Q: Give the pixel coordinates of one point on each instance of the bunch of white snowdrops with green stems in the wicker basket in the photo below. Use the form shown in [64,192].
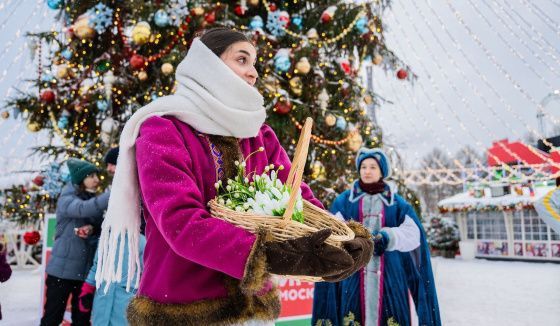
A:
[262,194]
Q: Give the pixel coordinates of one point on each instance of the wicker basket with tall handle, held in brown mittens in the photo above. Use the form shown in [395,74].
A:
[283,227]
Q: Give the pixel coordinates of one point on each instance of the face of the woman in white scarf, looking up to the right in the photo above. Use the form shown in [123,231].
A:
[241,58]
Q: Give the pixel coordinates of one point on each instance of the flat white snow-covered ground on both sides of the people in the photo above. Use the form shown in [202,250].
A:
[475,292]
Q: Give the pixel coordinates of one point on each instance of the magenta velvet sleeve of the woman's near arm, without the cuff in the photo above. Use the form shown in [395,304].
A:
[175,202]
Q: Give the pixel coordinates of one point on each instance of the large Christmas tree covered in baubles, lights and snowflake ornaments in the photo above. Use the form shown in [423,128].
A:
[109,58]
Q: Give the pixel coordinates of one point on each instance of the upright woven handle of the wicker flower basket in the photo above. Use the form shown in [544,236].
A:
[298,165]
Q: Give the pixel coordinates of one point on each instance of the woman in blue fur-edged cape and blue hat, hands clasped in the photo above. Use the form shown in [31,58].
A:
[400,267]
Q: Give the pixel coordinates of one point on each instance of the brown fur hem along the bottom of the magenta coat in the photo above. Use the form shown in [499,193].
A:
[234,309]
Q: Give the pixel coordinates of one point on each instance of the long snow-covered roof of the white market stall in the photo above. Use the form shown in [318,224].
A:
[466,201]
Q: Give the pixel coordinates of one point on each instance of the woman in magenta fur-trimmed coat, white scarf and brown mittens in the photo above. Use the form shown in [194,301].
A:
[200,270]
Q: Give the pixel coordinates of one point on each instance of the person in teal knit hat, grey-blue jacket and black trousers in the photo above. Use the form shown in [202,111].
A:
[79,214]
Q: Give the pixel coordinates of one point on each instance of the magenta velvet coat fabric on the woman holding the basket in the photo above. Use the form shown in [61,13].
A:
[188,251]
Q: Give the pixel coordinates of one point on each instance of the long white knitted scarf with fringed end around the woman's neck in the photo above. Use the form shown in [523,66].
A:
[211,98]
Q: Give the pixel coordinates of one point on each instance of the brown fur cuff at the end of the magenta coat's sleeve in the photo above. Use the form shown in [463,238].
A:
[256,275]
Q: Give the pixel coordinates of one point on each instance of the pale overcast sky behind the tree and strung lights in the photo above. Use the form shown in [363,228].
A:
[483,67]
